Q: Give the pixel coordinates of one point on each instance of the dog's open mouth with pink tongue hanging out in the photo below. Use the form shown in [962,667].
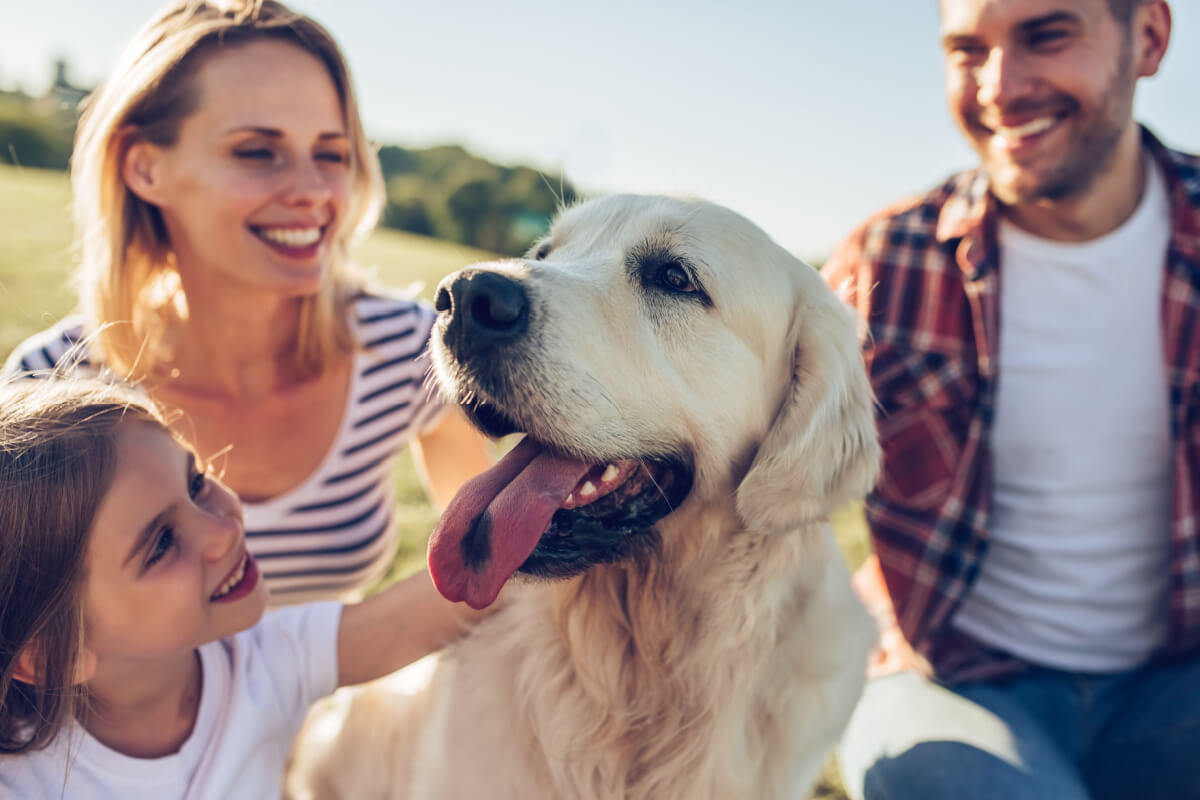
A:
[548,514]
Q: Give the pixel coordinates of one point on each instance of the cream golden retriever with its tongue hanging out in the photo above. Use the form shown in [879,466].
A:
[694,406]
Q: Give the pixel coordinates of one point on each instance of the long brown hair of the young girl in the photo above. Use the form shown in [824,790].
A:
[58,456]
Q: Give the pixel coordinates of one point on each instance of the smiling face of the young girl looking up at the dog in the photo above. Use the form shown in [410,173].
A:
[167,563]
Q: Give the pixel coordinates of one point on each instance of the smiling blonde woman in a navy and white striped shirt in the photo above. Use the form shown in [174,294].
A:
[220,175]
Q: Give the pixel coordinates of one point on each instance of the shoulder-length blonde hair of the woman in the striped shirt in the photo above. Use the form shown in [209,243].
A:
[127,272]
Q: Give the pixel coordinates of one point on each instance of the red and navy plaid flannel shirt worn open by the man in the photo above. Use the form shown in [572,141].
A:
[925,276]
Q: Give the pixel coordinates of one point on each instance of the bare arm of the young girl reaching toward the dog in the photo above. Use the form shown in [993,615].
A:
[398,627]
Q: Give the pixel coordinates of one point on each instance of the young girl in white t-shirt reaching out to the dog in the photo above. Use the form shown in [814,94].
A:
[136,657]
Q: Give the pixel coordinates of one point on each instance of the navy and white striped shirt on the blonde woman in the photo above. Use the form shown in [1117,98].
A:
[332,536]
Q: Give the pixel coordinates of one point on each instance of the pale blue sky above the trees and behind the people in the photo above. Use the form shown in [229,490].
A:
[805,116]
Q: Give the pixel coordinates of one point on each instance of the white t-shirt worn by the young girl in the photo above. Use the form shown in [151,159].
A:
[257,688]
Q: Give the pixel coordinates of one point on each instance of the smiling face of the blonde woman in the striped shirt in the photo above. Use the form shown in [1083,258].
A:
[254,190]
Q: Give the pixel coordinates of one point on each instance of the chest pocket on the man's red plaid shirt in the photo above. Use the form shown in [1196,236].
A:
[926,401]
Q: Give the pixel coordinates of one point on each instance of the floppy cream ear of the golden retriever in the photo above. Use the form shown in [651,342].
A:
[821,450]
